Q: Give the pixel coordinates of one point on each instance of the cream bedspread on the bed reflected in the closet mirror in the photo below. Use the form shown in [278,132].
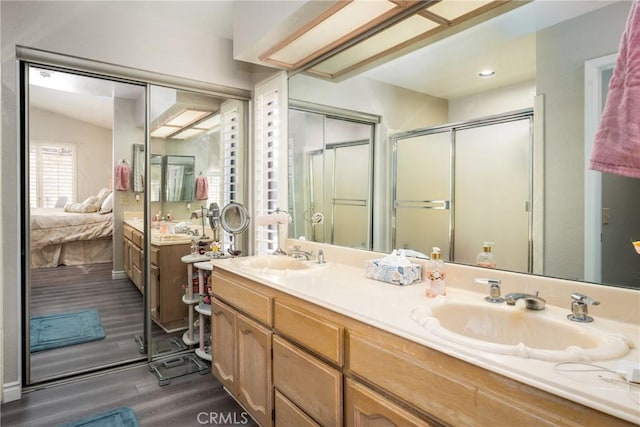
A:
[55,226]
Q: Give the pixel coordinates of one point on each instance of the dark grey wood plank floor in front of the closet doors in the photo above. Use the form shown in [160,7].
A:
[193,400]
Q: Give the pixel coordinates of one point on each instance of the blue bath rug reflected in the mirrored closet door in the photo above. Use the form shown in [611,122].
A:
[64,329]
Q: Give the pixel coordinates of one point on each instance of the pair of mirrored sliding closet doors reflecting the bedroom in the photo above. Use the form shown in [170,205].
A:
[120,178]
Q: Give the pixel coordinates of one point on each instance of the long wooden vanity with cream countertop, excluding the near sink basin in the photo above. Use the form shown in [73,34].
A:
[325,346]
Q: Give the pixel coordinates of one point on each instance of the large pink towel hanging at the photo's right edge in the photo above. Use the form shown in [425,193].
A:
[617,143]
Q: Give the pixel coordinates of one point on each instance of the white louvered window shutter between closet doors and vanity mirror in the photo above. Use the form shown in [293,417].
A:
[270,167]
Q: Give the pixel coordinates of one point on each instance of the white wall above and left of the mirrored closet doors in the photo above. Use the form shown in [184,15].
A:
[171,38]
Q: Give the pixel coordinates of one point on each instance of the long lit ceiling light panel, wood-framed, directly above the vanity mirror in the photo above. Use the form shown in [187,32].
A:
[338,26]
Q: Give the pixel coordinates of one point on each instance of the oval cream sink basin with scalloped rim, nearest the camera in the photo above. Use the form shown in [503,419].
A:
[519,332]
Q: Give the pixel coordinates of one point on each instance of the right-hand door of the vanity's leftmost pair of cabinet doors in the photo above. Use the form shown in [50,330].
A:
[254,369]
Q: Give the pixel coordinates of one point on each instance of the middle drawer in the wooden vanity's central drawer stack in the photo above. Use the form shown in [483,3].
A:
[312,385]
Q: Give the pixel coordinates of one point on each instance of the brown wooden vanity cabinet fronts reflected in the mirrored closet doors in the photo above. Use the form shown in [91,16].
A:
[166,277]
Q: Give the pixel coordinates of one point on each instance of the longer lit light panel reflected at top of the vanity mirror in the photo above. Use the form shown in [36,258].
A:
[405,30]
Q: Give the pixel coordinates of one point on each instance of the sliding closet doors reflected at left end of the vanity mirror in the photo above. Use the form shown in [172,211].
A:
[330,181]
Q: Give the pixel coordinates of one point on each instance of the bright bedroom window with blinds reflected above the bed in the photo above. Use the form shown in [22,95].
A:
[52,173]
